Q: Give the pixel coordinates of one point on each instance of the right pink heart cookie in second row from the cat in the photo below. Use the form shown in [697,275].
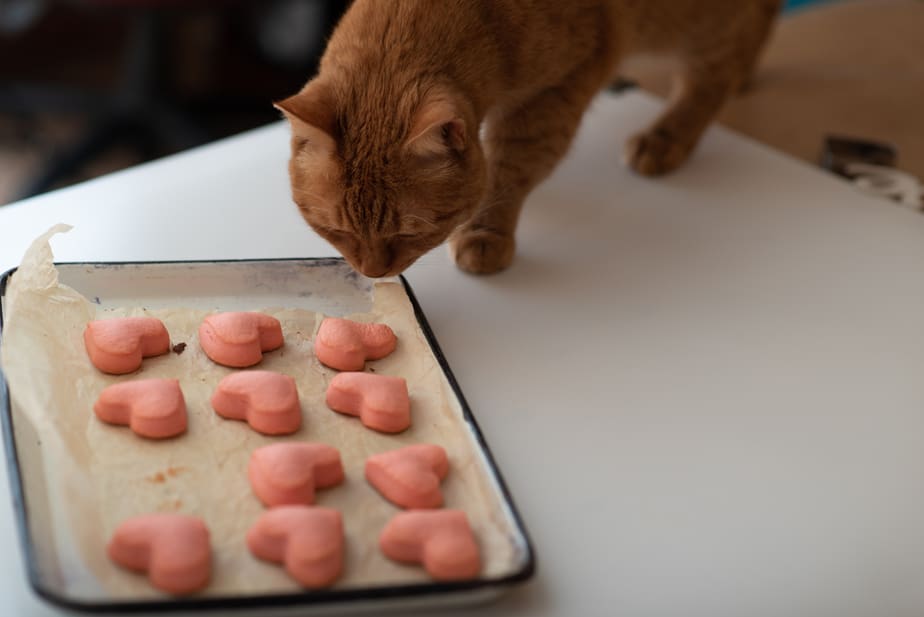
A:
[381,402]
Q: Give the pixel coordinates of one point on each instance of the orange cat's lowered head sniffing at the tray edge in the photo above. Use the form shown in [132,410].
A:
[383,183]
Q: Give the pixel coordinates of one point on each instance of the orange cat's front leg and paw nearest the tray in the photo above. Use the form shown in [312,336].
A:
[523,144]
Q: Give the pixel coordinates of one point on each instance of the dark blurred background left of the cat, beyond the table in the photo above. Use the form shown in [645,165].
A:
[92,86]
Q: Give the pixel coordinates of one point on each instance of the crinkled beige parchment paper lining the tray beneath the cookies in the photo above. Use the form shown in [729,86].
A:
[96,475]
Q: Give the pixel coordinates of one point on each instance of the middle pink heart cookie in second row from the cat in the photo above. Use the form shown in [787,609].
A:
[267,401]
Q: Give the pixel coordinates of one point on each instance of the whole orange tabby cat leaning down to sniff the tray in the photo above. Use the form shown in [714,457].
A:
[431,119]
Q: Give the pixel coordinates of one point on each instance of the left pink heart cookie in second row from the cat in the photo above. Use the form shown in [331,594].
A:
[152,408]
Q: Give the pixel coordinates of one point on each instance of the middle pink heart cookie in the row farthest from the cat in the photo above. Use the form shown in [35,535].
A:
[307,540]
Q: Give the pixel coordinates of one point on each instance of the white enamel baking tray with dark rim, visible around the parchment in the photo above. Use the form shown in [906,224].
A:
[241,285]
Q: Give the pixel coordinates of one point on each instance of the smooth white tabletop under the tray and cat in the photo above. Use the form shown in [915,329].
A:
[717,374]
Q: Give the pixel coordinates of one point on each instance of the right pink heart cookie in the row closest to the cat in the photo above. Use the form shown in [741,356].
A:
[346,345]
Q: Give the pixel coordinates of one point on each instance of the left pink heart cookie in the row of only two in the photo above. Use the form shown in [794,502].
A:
[289,472]
